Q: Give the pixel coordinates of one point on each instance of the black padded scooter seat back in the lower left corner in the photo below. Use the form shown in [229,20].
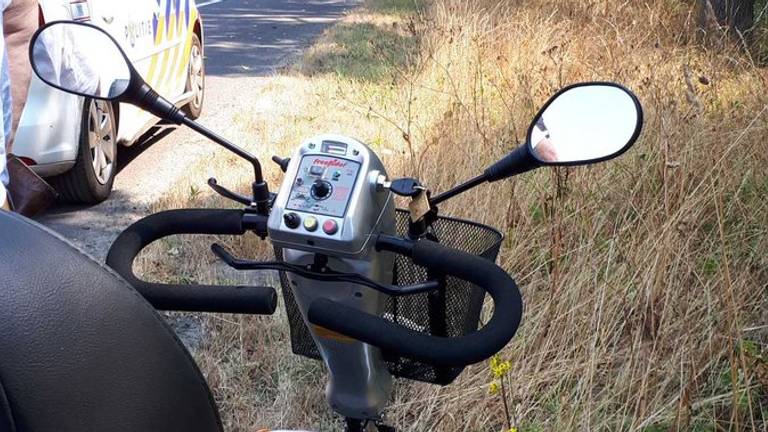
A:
[81,351]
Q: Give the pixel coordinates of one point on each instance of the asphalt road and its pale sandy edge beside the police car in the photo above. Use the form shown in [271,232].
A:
[246,41]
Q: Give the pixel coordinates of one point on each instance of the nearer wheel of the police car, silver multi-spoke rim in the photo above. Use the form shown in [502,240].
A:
[90,180]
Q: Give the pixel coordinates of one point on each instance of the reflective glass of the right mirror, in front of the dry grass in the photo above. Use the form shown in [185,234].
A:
[585,123]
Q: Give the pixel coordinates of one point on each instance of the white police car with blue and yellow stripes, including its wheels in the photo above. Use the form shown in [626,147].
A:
[72,141]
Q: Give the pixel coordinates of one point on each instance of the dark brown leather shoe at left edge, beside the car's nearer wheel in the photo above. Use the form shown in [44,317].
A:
[29,193]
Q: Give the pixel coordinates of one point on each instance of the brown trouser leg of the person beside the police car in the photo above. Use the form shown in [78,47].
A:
[20,20]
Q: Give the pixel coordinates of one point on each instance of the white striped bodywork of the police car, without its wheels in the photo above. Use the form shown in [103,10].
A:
[155,34]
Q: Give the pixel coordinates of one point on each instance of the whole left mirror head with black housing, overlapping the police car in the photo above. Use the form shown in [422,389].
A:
[82,59]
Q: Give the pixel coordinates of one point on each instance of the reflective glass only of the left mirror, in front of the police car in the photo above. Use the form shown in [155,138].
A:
[81,59]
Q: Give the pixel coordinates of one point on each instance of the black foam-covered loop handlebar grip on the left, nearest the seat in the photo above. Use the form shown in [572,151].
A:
[198,298]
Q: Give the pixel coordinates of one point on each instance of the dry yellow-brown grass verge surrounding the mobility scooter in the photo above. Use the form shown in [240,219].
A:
[644,278]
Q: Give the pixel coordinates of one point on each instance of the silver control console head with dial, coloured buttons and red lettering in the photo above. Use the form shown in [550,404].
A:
[329,202]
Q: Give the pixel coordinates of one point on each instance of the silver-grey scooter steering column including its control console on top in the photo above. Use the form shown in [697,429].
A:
[330,204]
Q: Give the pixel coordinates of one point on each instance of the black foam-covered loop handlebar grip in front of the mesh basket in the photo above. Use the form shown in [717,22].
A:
[439,351]
